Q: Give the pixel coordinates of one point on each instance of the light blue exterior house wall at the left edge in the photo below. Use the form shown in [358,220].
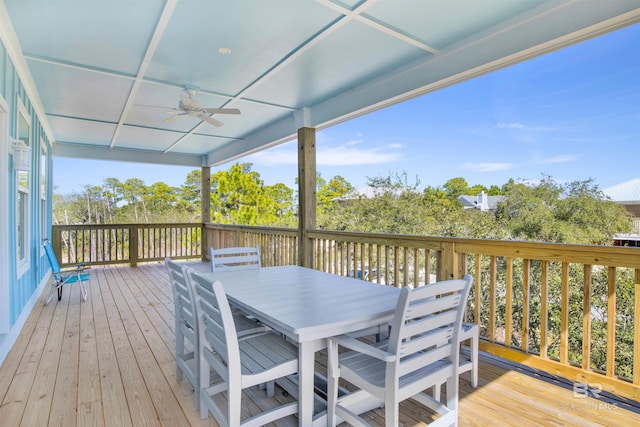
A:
[21,282]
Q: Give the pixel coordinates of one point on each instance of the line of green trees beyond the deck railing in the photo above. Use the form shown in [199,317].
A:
[546,211]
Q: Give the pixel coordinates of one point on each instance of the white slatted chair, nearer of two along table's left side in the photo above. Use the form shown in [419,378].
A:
[239,364]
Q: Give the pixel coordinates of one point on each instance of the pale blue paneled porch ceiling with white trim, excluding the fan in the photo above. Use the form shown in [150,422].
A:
[293,63]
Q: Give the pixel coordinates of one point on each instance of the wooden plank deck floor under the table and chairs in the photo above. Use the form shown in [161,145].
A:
[108,361]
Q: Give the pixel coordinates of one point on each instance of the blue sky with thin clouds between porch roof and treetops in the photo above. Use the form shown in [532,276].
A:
[573,114]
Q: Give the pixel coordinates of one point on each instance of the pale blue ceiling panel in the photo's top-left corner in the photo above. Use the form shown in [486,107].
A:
[111,35]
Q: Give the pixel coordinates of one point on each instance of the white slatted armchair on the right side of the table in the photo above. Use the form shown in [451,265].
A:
[422,351]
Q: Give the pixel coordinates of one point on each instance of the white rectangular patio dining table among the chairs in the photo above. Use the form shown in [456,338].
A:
[308,306]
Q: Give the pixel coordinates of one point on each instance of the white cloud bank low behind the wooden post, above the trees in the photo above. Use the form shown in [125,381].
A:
[348,154]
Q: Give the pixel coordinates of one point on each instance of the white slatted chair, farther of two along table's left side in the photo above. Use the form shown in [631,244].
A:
[186,326]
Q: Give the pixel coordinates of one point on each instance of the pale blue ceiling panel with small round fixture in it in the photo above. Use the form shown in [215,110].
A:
[188,52]
